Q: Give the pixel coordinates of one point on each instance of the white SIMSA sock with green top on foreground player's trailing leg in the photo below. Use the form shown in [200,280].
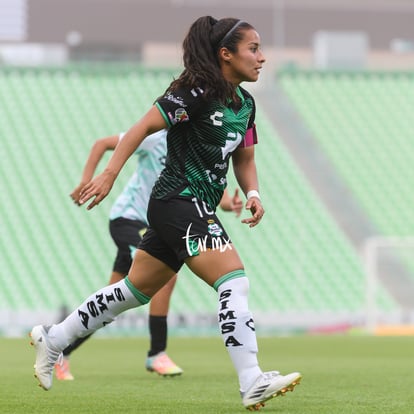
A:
[98,310]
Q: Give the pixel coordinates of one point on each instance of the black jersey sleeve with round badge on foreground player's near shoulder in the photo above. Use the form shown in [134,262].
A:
[180,105]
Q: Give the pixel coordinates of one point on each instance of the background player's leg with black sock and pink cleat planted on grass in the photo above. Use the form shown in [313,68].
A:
[158,361]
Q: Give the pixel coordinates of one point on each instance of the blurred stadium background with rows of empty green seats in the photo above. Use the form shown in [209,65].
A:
[336,161]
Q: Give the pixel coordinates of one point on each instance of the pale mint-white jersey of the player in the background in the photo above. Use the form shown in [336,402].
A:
[132,203]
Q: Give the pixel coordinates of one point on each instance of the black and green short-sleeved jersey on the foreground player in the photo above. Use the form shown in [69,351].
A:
[201,138]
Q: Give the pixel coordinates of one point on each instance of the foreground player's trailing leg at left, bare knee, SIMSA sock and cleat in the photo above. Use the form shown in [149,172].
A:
[97,311]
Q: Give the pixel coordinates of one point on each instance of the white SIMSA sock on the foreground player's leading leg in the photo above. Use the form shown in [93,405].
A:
[237,329]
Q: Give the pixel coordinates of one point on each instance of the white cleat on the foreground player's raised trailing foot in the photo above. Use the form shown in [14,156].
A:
[46,357]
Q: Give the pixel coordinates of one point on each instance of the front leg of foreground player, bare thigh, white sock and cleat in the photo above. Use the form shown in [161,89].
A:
[237,327]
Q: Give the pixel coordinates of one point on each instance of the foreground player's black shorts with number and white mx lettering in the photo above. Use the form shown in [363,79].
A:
[182,227]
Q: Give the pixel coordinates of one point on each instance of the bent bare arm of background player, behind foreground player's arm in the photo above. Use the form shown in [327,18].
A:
[95,155]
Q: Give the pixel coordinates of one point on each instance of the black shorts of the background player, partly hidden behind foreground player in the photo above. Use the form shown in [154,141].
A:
[126,234]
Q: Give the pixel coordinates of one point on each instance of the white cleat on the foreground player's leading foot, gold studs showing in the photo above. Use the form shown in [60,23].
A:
[267,386]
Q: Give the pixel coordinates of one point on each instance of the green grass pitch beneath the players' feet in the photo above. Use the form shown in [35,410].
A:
[341,374]
